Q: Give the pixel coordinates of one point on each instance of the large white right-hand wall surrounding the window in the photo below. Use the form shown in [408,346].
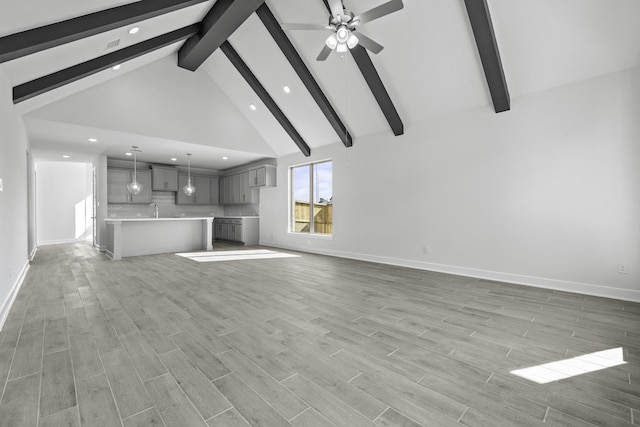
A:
[547,194]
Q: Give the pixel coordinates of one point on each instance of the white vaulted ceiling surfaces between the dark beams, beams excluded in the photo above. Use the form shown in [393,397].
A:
[430,67]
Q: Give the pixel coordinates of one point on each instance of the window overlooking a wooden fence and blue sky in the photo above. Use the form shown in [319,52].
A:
[312,198]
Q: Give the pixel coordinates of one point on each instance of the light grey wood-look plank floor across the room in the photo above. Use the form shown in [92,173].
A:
[309,341]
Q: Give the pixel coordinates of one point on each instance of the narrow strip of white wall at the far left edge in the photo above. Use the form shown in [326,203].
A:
[14,145]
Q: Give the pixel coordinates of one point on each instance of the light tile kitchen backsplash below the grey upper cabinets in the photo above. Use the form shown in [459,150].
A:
[167,207]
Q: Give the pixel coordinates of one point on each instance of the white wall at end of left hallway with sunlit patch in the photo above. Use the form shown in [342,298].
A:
[64,198]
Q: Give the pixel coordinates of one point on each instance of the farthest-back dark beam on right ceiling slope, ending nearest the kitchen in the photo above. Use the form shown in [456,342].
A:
[264,96]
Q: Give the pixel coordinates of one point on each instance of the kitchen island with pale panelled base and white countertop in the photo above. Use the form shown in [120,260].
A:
[146,236]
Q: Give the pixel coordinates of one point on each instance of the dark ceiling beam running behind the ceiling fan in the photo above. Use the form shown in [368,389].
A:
[371,76]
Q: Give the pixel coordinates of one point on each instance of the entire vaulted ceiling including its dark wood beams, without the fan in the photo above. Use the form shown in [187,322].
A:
[436,61]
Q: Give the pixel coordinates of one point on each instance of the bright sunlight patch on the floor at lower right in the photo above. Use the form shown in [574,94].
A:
[567,368]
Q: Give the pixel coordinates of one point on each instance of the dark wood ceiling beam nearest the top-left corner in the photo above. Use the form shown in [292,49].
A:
[37,39]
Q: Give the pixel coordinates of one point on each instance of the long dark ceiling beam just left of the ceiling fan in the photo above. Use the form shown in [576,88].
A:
[285,45]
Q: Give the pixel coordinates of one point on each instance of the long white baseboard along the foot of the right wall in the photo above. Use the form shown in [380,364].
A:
[517,279]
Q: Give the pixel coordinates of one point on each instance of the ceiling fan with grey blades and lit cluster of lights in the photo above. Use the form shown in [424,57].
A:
[344,24]
